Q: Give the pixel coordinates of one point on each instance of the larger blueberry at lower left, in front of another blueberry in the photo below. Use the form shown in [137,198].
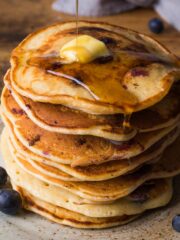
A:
[10,201]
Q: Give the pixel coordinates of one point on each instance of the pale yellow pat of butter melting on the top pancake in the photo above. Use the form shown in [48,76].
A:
[83,49]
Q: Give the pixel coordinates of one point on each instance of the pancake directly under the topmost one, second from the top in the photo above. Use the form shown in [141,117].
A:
[58,118]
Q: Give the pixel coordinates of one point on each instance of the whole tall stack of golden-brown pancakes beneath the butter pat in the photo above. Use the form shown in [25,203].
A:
[70,146]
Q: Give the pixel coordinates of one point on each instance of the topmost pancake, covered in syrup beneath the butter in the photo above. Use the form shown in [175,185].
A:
[138,75]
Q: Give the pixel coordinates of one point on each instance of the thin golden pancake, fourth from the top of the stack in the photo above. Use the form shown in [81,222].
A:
[93,172]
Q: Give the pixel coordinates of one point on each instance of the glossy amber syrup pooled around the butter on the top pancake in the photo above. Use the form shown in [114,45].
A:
[104,77]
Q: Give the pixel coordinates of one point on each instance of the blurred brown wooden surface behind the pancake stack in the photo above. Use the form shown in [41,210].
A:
[18,18]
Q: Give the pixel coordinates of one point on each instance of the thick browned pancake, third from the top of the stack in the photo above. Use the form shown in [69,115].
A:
[76,150]
